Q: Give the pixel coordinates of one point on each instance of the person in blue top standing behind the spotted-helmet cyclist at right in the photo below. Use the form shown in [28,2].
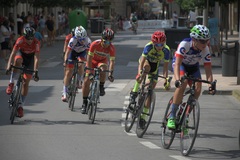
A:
[213,25]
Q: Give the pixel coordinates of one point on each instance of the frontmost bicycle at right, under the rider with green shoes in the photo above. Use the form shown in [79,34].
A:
[187,119]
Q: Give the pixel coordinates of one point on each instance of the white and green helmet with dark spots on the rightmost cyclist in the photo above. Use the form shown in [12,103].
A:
[200,32]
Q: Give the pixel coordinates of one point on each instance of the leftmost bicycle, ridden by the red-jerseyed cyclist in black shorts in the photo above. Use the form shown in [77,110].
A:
[15,97]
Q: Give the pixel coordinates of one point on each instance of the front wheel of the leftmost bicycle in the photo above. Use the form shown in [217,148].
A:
[16,98]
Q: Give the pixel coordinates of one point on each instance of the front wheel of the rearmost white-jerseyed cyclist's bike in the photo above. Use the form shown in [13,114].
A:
[72,90]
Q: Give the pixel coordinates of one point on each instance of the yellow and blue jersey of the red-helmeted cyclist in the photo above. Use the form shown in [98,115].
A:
[154,56]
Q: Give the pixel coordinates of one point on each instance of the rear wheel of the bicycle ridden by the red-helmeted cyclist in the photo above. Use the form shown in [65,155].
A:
[130,116]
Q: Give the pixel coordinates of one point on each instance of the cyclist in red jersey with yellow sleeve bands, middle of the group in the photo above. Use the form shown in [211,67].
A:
[100,52]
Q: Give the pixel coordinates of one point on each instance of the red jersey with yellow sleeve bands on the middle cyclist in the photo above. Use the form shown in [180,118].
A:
[100,53]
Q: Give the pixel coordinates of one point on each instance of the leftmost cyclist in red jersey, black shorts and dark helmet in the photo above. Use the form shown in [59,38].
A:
[25,52]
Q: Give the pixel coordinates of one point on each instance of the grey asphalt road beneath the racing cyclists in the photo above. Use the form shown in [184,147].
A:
[49,131]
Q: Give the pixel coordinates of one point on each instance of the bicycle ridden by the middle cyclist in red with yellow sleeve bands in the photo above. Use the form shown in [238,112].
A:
[94,94]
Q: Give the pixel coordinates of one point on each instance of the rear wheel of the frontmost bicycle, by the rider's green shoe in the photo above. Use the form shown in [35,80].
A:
[167,135]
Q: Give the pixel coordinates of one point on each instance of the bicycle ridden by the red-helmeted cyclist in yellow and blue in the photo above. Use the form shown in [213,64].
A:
[135,108]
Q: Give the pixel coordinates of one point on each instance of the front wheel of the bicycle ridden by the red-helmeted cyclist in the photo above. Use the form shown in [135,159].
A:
[145,117]
